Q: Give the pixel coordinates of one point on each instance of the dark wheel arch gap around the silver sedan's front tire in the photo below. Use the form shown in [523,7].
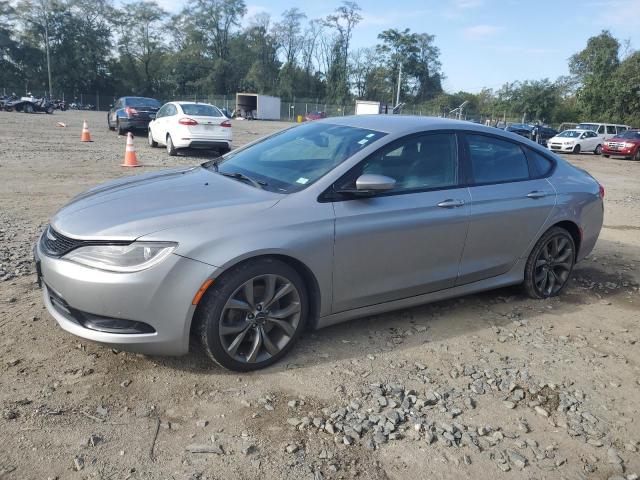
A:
[309,279]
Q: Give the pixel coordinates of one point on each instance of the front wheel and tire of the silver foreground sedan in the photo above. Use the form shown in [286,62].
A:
[253,315]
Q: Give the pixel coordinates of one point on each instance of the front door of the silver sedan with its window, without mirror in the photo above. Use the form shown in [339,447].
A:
[408,241]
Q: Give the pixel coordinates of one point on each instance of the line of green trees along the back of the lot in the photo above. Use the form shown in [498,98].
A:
[211,47]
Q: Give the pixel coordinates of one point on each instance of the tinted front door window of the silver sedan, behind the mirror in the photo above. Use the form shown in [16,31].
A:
[415,163]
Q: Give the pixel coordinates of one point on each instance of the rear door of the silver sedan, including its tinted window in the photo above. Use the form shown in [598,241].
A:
[510,202]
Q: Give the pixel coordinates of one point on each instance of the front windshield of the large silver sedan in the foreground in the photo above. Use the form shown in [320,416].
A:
[295,158]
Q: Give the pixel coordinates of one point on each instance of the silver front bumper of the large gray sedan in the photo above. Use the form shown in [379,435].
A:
[81,298]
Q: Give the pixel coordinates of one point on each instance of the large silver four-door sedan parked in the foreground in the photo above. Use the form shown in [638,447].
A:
[314,225]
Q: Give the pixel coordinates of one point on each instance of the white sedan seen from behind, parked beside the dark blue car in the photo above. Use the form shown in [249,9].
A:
[190,125]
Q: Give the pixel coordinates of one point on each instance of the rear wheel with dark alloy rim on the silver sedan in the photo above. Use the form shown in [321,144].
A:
[550,264]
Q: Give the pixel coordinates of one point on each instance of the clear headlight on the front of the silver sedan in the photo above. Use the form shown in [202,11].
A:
[122,258]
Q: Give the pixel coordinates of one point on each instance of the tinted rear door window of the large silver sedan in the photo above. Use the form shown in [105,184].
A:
[494,160]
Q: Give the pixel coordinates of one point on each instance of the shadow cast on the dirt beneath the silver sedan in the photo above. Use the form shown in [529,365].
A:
[435,323]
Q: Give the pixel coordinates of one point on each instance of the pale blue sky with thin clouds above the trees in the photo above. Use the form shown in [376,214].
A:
[484,43]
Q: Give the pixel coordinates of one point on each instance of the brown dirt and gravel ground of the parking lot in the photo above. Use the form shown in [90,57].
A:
[488,386]
